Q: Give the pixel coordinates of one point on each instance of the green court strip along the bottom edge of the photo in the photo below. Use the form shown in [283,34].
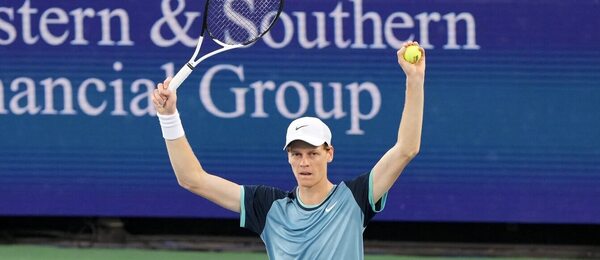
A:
[25,252]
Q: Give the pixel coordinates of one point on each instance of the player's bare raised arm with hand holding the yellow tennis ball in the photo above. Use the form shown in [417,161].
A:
[393,162]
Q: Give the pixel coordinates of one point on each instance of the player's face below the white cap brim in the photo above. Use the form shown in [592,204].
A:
[309,163]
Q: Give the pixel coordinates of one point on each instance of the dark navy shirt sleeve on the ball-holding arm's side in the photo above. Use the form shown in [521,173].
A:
[362,190]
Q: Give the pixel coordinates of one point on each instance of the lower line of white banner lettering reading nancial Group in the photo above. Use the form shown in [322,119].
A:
[291,99]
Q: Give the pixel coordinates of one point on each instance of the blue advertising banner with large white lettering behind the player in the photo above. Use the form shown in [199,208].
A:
[511,125]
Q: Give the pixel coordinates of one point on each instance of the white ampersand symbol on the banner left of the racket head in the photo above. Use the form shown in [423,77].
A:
[169,18]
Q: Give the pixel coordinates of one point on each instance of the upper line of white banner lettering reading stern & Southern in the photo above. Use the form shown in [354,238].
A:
[56,25]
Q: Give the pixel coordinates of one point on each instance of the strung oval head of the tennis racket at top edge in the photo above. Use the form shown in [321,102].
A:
[240,22]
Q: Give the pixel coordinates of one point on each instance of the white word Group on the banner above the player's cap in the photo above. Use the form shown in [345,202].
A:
[299,96]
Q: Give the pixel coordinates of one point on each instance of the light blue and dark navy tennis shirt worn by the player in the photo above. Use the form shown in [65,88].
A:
[292,230]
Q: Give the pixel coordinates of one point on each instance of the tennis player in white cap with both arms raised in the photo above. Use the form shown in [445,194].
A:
[316,220]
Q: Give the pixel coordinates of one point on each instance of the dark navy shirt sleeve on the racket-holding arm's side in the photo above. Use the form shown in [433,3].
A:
[255,202]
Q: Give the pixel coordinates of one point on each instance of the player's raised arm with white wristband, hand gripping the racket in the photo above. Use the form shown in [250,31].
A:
[190,174]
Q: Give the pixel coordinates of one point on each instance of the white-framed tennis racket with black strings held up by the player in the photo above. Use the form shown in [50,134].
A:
[231,24]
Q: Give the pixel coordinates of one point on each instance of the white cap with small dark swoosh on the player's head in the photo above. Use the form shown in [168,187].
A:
[308,129]
